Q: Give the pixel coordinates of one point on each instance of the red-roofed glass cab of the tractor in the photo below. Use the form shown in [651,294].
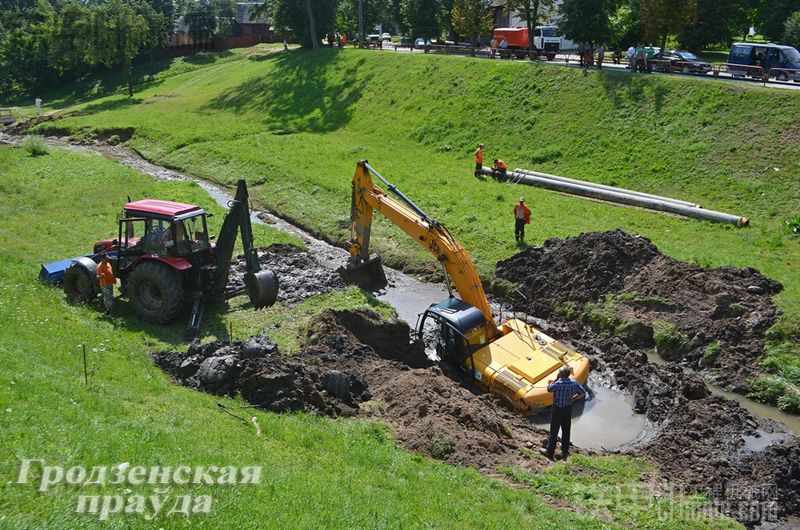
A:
[163,228]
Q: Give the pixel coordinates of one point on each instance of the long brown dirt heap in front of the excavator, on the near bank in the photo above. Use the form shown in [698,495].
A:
[356,362]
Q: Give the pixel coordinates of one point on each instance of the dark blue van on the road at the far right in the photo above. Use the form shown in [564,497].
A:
[768,57]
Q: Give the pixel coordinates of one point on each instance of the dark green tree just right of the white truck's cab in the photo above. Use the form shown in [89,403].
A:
[587,20]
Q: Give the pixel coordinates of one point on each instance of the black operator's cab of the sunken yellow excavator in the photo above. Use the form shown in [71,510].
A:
[462,329]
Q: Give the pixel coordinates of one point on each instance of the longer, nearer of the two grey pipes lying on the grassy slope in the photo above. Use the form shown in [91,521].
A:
[624,198]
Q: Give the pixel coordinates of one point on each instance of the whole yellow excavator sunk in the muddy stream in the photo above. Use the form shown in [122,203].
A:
[513,360]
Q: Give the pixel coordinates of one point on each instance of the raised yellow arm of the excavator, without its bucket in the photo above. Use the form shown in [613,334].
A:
[427,232]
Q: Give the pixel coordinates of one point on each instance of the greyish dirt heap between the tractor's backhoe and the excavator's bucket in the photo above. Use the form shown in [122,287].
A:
[300,275]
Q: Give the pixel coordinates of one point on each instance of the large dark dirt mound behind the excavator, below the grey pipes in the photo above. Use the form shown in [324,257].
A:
[721,314]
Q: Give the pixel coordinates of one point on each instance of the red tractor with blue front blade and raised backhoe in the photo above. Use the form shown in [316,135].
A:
[166,261]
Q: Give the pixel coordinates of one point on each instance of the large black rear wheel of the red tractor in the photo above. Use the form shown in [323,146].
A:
[157,292]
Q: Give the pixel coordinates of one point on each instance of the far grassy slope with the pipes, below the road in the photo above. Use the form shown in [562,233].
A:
[294,124]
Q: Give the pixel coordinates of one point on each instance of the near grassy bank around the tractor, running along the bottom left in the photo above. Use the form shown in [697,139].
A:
[317,472]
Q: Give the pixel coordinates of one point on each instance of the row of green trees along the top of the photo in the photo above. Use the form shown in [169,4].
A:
[46,42]
